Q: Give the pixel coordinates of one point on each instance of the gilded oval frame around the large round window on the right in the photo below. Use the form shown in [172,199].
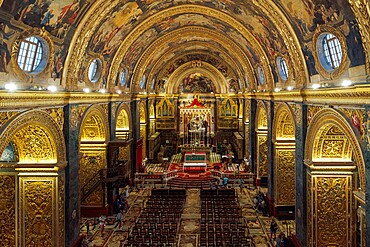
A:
[317,49]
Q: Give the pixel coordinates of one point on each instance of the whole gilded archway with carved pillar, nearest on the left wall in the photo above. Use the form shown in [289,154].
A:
[32,182]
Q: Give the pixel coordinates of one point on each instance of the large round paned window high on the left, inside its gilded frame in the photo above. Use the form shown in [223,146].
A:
[32,54]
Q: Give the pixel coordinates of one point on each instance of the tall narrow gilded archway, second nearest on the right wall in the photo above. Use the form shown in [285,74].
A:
[284,149]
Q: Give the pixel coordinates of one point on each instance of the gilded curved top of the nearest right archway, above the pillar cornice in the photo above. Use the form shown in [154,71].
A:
[349,143]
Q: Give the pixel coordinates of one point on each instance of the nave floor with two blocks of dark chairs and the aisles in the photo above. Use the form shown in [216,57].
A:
[194,226]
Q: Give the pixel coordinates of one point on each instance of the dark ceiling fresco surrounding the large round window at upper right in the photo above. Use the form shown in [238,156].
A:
[307,15]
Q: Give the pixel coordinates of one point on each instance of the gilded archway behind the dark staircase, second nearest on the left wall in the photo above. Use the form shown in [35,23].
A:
[92,156]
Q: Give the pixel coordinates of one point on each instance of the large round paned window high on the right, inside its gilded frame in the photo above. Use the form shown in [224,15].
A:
[329,51]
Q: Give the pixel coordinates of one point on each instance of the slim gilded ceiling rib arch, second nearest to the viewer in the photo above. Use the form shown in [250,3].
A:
[188,8]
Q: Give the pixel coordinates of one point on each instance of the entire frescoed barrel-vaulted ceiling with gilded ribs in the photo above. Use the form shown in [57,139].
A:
[149,41]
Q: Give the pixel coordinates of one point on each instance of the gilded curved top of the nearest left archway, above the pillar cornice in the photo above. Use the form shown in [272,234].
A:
[42,125]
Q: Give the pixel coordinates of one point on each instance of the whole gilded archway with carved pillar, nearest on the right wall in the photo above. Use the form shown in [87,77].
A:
[335,178]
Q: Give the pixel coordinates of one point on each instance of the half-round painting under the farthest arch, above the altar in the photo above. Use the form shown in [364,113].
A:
[196,83]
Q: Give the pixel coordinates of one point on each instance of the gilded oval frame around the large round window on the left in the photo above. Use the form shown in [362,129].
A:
[46,37]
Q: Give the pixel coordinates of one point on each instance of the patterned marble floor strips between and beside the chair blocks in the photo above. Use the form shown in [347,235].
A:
[188,234]
